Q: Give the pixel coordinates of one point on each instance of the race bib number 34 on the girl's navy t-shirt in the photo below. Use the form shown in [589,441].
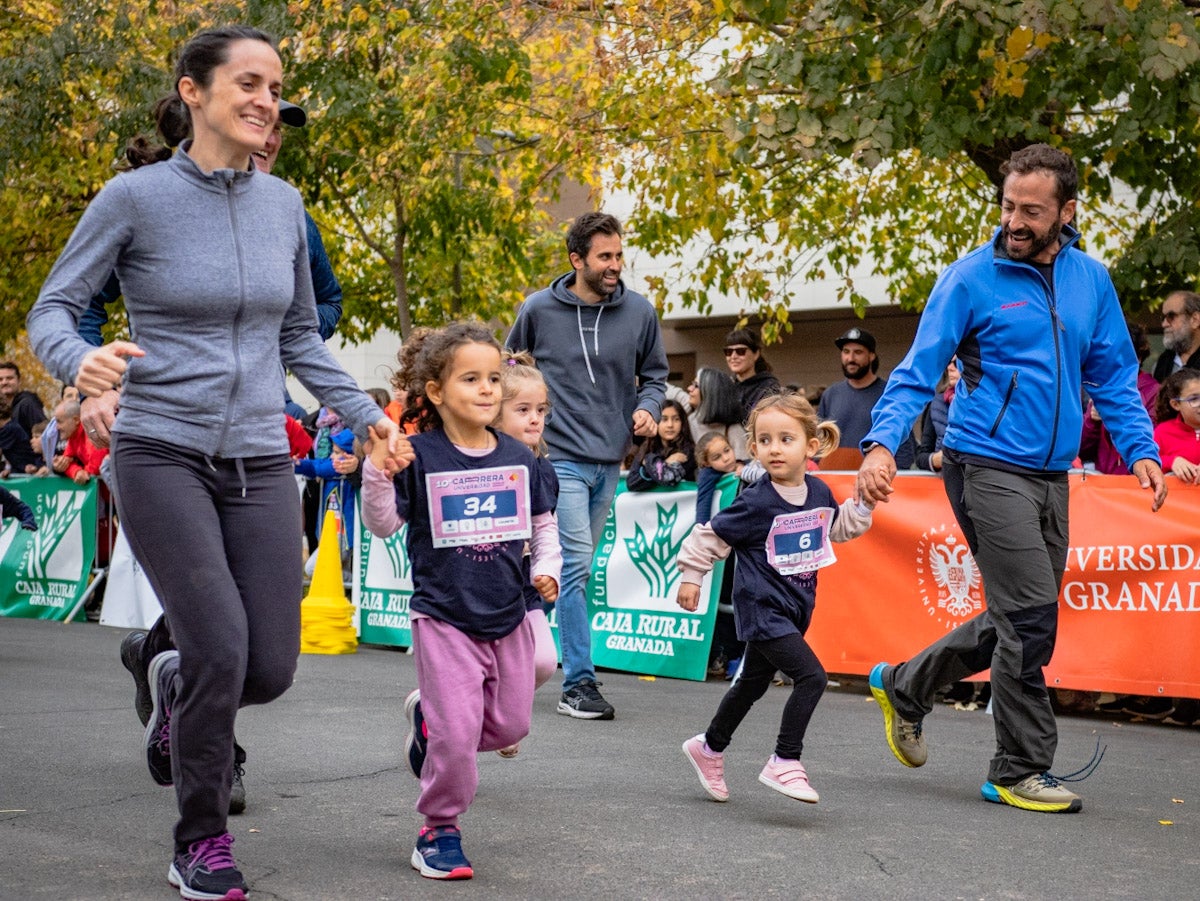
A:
[479,507]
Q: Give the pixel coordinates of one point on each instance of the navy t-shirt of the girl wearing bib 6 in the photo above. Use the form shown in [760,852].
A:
[766,603]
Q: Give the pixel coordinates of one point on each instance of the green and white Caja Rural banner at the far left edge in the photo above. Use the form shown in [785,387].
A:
[45,573]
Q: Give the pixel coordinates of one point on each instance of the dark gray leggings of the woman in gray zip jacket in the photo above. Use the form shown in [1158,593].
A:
[219,540]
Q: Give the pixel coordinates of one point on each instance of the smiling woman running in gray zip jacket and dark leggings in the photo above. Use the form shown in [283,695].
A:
[213,259]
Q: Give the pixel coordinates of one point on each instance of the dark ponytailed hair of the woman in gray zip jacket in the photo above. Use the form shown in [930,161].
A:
[200,58]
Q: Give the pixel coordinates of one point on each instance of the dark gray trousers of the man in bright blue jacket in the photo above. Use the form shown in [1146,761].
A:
[1019,526]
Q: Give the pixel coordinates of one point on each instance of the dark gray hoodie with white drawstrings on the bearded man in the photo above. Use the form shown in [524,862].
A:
[602,362]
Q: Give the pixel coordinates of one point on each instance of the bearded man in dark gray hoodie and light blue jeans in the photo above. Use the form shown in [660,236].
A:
[601,350]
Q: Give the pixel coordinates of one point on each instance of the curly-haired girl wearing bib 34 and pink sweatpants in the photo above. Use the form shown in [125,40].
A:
[472,503]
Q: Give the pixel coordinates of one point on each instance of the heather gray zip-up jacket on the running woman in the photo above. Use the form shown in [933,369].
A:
[217,283]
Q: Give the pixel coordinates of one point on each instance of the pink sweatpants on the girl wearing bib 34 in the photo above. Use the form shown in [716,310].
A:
[476,696]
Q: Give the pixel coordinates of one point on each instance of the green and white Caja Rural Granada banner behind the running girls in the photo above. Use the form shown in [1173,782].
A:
[637,626]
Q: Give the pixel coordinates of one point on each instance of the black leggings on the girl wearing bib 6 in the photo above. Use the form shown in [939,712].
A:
[790,656]
